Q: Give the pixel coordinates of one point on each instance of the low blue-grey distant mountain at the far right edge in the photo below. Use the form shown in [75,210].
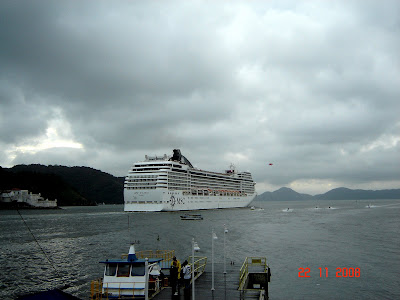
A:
[348,194]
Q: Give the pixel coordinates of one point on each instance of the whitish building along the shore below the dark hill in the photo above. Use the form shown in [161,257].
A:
[23,196]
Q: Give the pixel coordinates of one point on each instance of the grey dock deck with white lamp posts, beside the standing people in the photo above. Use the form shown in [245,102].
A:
[226,285]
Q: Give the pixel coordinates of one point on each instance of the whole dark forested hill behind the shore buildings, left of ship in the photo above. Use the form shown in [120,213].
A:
[91,185]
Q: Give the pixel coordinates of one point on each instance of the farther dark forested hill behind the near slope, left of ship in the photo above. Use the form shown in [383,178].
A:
[94,185]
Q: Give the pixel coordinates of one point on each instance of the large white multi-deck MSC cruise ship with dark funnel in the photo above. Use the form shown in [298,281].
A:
[171,183]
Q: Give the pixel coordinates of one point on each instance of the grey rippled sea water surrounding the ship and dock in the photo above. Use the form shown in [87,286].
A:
[292,235]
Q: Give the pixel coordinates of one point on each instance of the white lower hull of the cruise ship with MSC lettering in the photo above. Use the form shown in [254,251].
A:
[159,200]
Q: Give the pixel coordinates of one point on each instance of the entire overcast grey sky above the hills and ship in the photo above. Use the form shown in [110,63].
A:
[312,87]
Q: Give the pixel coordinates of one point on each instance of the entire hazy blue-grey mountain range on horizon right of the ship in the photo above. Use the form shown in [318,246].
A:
[286,194]
